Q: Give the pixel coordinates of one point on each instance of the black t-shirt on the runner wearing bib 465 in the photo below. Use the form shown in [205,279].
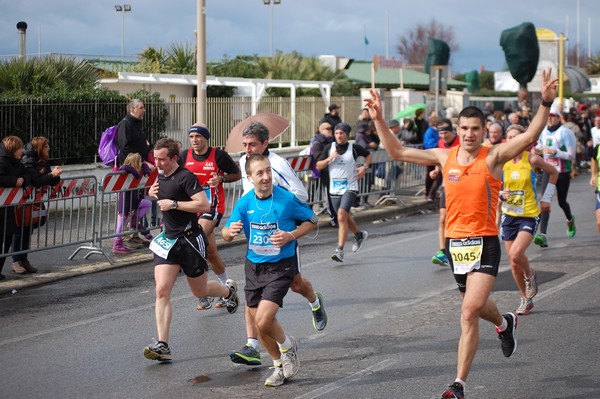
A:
[182,185]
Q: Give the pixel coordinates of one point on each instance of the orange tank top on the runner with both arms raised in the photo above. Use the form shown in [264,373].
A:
[471,197]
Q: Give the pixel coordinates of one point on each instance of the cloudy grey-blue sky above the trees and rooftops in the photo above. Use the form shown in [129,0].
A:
[310,27]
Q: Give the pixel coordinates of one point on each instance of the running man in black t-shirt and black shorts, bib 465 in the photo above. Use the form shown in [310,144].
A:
[181,245]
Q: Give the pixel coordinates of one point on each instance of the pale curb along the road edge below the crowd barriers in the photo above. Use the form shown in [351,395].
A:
[406,205]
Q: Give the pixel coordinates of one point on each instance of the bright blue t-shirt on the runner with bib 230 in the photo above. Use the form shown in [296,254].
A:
[263,217]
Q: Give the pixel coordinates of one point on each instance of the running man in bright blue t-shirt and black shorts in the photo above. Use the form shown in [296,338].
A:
[272,219]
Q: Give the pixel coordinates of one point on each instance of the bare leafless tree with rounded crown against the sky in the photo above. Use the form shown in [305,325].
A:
[414,44]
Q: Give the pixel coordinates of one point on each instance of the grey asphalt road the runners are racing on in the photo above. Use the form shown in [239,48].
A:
[393,328]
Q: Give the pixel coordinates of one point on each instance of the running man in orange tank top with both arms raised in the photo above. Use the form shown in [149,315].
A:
[474,172]
